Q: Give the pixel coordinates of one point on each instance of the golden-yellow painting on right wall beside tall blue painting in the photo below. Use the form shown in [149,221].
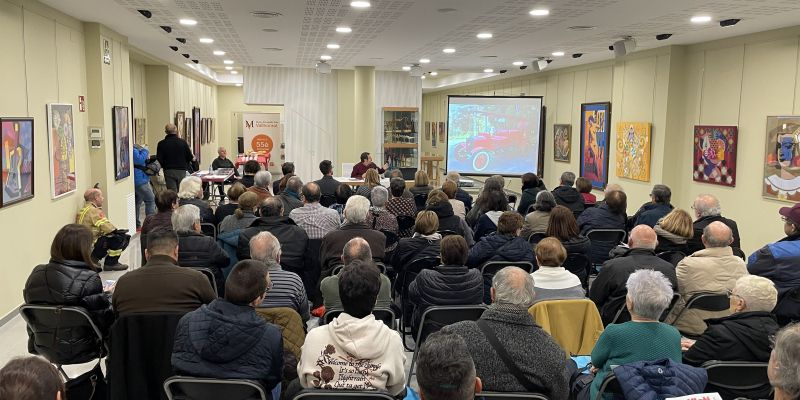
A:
[633,150]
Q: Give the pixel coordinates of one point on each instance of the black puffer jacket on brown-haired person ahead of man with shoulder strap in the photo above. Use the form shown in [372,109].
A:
[444,285]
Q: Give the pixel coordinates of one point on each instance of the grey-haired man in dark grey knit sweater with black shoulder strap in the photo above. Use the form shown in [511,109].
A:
[532,350]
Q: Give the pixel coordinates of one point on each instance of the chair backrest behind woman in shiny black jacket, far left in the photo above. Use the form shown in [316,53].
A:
[63,334]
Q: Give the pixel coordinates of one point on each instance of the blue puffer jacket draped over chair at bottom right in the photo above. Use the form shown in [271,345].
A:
[652,380]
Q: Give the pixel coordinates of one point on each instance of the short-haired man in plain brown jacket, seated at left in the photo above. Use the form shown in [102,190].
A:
[160,285]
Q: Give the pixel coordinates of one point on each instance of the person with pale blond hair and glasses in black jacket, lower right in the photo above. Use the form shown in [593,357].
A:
[745,334]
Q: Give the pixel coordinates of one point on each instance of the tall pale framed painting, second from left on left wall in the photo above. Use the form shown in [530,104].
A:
[61,141]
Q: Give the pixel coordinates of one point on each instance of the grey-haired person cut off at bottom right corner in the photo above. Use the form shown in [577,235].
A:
[784,364]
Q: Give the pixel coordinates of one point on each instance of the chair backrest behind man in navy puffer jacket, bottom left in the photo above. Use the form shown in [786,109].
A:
[191,388]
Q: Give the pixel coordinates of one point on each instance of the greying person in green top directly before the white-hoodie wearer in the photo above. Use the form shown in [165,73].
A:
[355,251]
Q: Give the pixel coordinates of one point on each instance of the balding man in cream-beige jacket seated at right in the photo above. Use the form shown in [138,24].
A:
[714,269]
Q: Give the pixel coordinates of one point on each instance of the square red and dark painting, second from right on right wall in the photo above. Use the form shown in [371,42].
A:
[715,154]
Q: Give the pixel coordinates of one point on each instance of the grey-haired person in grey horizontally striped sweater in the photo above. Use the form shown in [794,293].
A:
[287,288]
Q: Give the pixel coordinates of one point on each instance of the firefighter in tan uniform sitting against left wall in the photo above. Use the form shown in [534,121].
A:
[109,242]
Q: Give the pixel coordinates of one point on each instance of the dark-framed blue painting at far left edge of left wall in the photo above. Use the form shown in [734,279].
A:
[16,160]
